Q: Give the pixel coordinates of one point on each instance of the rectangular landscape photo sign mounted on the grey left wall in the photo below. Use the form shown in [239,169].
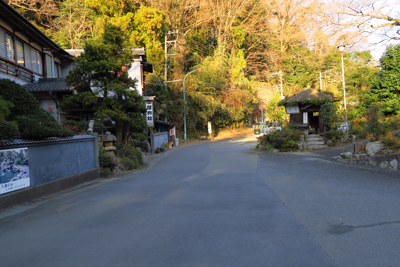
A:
[14,170]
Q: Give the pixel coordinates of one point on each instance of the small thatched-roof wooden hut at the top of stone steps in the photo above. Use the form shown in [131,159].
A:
[304,109]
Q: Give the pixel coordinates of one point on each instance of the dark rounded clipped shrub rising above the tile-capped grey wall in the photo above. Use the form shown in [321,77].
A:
[32,121]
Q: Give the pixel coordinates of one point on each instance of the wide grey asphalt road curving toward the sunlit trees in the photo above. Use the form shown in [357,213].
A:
[217,204]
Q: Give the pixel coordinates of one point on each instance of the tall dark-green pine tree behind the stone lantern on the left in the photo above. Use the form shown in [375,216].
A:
[102,64]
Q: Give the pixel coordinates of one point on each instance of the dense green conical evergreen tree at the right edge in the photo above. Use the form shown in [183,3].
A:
[386,88]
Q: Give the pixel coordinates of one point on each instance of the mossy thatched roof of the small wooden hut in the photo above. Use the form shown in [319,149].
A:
[309,96]
